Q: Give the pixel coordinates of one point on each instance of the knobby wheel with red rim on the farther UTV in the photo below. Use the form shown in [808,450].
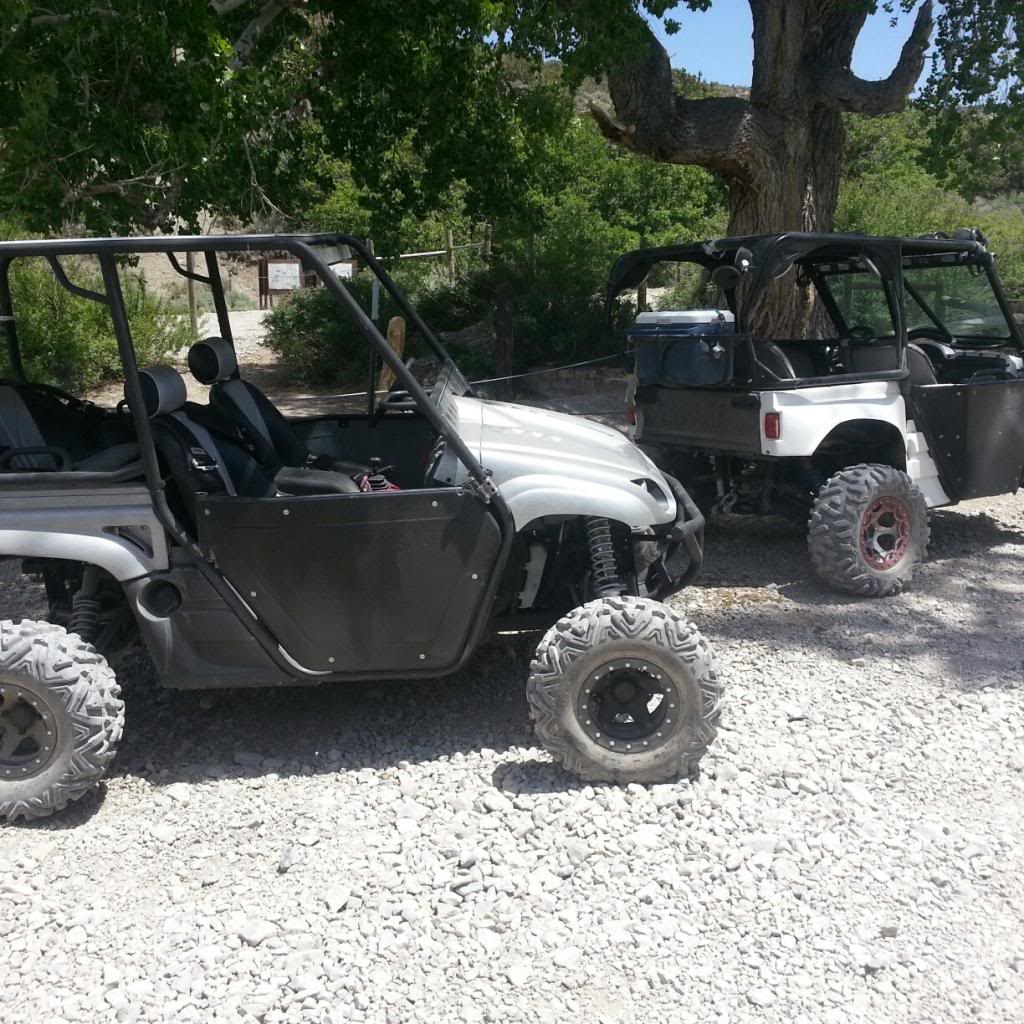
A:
[869,531]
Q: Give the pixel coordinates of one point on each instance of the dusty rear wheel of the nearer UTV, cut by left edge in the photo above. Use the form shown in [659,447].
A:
[61,719]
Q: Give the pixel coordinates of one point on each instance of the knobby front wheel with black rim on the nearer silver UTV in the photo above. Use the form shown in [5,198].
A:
[625,691]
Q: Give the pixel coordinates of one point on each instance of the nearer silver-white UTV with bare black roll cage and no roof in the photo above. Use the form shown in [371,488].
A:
[245,549]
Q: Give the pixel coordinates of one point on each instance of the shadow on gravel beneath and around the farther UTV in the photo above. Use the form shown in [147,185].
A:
[964,611]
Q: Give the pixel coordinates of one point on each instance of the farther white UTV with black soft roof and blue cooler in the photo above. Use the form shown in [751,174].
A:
[906,395]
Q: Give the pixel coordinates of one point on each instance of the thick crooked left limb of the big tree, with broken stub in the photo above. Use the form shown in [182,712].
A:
[652,120]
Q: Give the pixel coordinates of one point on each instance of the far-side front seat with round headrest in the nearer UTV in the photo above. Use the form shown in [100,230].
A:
[276,444]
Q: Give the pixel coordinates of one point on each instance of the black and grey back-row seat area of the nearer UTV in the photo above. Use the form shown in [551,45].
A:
[55,437]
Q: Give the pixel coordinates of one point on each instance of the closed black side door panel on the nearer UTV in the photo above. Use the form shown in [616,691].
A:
[392,582]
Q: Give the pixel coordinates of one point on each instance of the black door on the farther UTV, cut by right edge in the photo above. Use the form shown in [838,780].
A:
[975,435]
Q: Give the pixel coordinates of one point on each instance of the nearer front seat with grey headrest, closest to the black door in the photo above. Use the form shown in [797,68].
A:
[204,454]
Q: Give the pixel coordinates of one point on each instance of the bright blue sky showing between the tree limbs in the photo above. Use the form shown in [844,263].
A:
[717,44]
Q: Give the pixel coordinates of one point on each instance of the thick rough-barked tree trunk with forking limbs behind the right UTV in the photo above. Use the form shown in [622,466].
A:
[782,150]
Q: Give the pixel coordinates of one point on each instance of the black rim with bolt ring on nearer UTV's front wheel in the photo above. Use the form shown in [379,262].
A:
[629,706]
